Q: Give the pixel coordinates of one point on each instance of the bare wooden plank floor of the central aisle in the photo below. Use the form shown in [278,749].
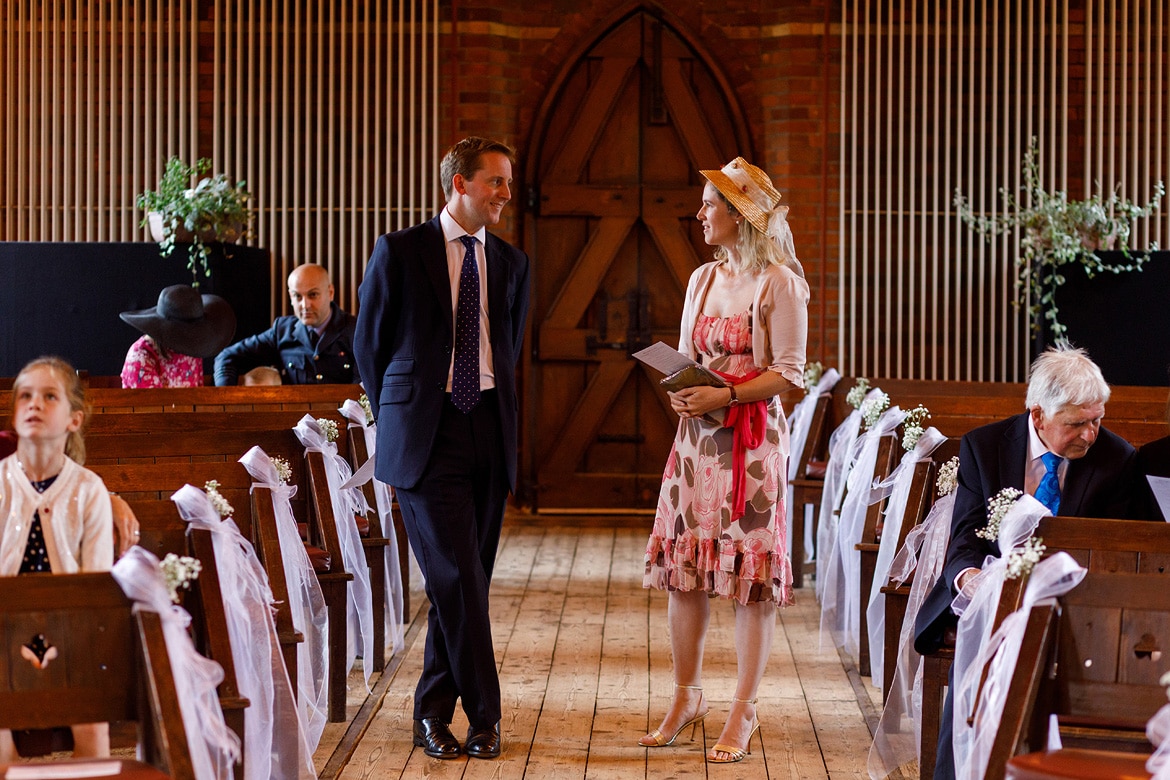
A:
[586,671]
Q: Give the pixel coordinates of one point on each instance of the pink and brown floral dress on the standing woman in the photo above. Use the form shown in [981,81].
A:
[697,543]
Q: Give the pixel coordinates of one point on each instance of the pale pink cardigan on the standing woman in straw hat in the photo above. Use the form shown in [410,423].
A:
[780,319]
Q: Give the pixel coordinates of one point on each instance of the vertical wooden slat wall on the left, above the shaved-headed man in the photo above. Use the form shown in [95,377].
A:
[324,108]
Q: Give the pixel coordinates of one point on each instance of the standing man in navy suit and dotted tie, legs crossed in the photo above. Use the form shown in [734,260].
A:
[446,437]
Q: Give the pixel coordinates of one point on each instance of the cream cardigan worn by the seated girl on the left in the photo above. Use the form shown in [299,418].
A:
[75,516]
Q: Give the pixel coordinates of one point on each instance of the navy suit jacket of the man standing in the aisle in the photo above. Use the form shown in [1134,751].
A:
[405,336]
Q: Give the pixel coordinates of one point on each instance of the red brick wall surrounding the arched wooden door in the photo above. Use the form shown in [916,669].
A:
[782,59]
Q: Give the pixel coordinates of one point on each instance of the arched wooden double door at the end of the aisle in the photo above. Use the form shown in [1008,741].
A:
[616,185]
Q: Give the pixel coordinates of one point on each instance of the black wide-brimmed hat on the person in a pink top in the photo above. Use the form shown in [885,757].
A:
[187,322]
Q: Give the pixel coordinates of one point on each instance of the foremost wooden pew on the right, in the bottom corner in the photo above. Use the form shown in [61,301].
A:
[1096,662]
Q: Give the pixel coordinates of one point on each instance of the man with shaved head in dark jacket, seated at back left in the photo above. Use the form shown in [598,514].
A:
[314,347]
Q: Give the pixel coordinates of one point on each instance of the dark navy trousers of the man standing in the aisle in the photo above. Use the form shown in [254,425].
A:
[453,520]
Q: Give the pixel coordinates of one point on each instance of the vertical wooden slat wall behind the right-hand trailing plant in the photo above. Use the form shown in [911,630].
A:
[945,96]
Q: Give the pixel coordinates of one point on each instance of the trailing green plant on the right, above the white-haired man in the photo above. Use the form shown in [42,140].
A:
[1058,232]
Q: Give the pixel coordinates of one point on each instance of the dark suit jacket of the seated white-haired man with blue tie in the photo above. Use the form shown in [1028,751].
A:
[992,458]
